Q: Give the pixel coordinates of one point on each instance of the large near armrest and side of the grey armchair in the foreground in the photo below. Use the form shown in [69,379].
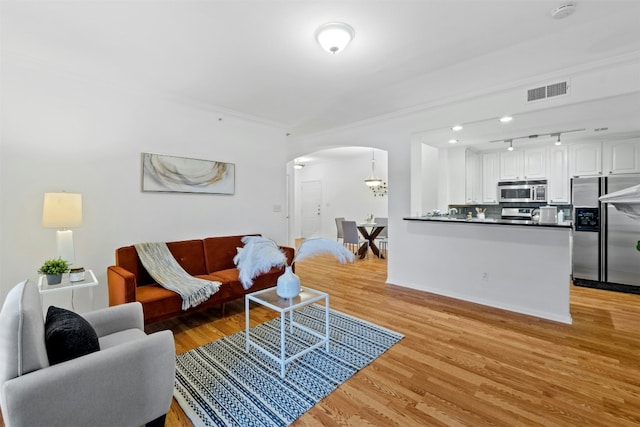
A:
[125,385]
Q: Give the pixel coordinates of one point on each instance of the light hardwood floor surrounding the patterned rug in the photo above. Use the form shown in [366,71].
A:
[462,364]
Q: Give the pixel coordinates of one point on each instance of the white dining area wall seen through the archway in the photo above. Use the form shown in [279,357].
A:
[344,193]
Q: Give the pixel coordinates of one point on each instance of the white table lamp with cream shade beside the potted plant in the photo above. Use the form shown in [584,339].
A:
[63,211]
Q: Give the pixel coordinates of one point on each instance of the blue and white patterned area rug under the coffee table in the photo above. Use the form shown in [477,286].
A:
[219,384]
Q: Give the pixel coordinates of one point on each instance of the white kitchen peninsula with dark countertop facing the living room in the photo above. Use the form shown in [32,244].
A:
[515,265]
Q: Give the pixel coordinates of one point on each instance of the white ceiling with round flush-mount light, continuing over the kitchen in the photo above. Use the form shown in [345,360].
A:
[260,58]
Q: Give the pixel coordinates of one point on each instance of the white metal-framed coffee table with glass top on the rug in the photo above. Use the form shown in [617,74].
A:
[269,298]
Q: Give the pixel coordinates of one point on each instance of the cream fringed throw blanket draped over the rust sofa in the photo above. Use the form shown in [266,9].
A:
[164,268]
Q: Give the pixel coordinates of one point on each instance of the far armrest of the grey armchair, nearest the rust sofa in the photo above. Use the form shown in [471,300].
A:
[118,318]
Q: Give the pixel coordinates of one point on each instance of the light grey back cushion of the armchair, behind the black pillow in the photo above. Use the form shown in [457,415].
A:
[22,346]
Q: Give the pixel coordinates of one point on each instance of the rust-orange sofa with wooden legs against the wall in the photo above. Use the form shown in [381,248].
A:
[210,258]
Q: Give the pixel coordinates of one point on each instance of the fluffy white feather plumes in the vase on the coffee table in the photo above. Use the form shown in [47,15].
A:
[260,254]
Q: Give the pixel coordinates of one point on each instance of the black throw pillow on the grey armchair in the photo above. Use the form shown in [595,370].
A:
[68,335]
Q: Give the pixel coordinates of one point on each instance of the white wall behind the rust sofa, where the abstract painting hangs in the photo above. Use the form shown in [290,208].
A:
[60,132]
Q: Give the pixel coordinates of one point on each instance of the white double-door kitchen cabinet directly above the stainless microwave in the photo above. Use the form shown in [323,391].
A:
[523,164]
